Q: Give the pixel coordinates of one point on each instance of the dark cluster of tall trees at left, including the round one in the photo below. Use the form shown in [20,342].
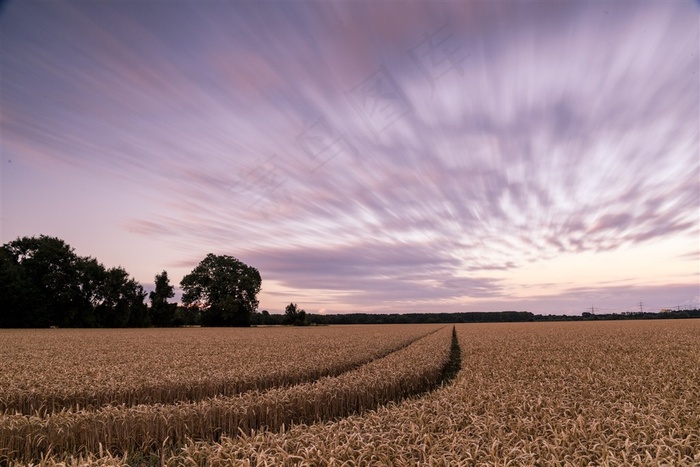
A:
[44,283]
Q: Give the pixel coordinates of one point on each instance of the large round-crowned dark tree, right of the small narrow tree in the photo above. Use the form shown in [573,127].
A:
[223,289]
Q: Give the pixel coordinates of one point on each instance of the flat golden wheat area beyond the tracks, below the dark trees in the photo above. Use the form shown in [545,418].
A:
[46,371]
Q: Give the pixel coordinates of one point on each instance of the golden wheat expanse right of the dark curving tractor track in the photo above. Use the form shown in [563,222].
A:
[610,393]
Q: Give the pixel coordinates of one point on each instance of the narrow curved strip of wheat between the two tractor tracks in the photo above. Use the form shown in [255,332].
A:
[415,368]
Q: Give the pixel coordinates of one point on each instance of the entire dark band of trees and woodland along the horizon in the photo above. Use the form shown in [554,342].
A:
[44,283]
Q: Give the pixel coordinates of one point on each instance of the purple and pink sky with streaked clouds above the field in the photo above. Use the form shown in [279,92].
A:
[366,156]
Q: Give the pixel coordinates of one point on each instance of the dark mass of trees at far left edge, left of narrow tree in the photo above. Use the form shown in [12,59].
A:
[44,283]
